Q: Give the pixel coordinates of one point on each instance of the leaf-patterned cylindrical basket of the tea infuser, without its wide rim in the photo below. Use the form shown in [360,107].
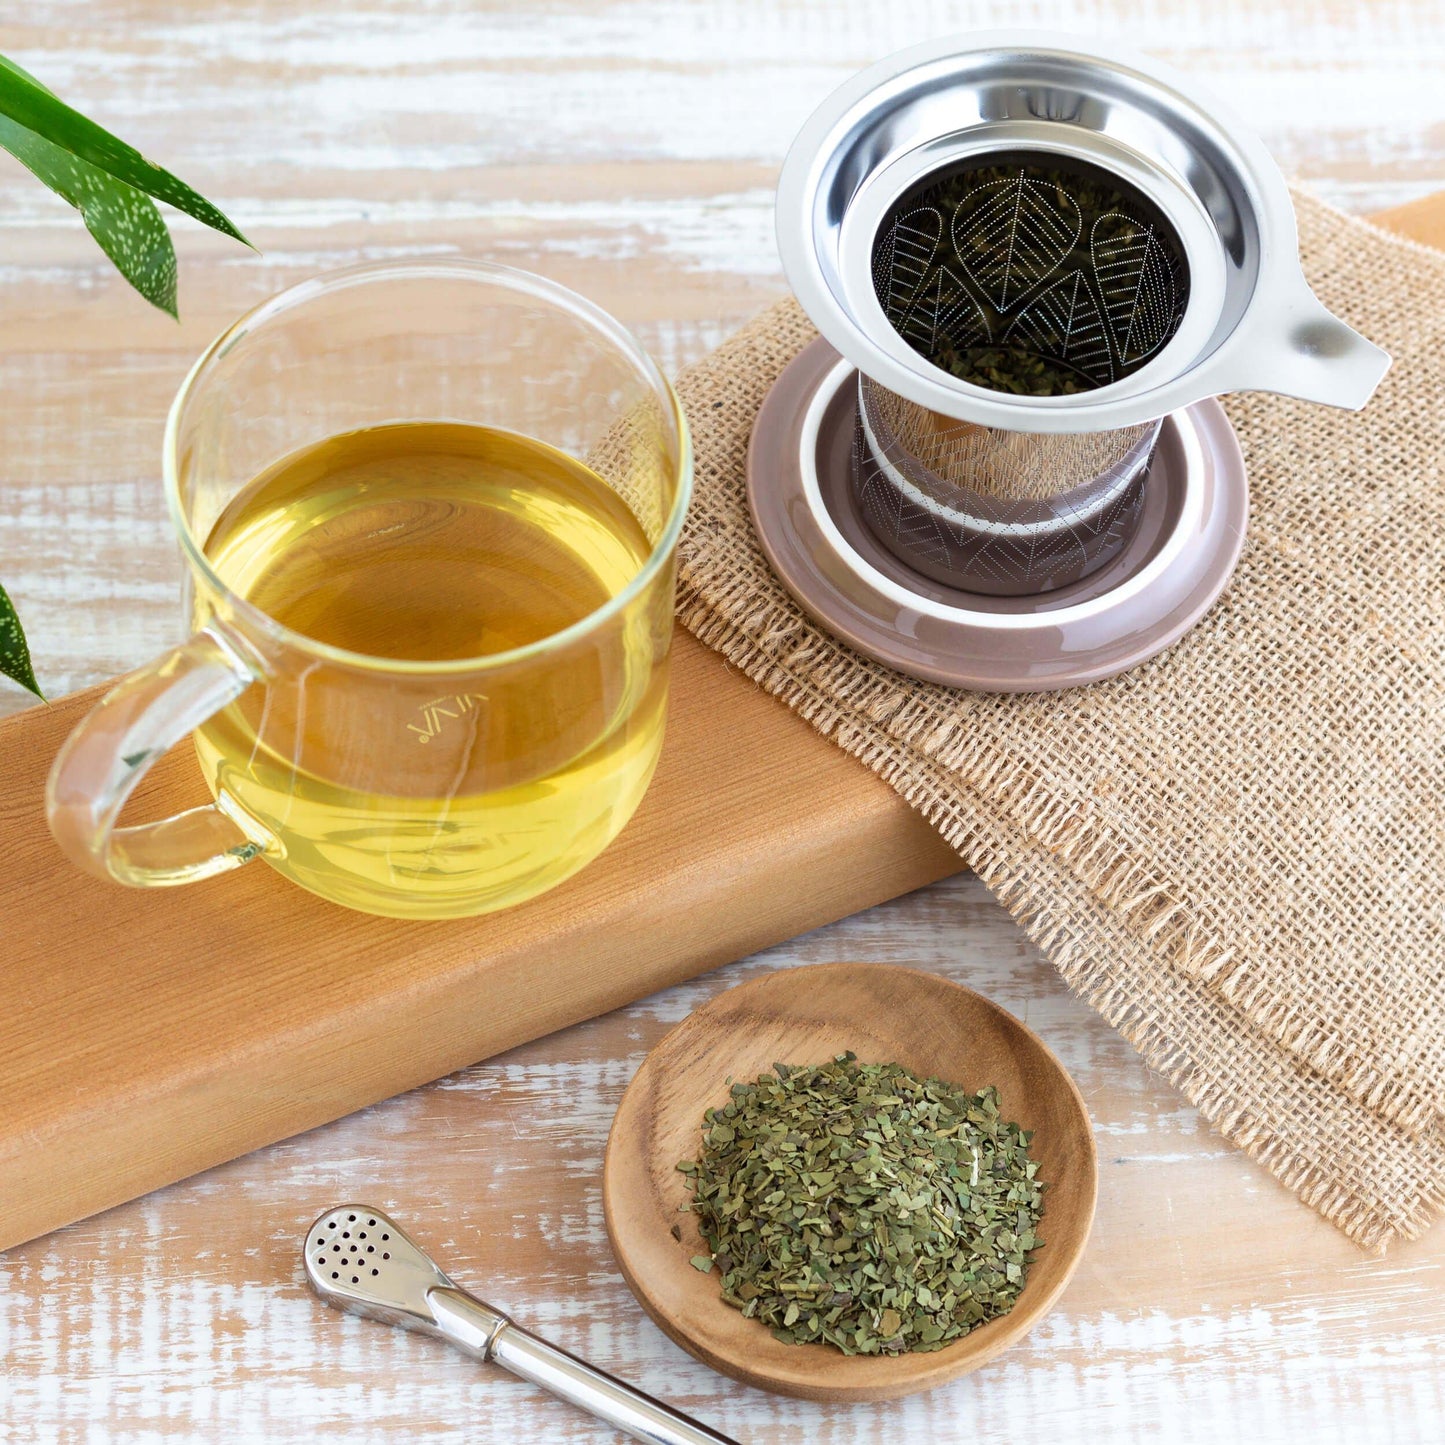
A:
[1032,275]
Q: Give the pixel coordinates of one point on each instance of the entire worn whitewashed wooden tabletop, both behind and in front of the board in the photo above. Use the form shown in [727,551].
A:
[626,150]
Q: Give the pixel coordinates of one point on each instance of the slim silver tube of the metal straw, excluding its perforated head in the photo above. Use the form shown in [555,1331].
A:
[488,1334]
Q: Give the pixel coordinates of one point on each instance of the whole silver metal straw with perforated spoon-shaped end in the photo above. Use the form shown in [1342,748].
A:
[359,1259]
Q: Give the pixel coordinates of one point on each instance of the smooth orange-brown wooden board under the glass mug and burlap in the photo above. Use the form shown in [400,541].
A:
[150,1035]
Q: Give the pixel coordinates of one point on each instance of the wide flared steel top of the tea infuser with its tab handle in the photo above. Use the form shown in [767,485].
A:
[1246,320]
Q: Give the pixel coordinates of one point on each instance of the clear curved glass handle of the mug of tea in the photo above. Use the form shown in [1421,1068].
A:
[115,746]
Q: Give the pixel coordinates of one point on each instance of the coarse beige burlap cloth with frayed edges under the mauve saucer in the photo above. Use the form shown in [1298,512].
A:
[1236,852]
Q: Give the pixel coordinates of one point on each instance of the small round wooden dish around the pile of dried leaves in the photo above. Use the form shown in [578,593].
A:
[806,1017]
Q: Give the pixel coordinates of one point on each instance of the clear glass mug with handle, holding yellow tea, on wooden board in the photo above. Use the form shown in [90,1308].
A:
[413,693]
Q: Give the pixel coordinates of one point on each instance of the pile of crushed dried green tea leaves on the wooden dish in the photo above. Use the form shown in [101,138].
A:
[866,1207]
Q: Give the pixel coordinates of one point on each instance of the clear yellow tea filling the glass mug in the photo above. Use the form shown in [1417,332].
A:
[413,788]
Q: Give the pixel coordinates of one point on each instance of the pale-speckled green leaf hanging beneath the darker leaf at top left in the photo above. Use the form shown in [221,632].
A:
[125,222]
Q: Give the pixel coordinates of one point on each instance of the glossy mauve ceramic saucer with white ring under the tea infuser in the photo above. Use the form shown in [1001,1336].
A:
[1178,561]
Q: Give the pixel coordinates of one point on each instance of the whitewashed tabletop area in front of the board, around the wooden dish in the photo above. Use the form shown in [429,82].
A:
[1210,1304]
